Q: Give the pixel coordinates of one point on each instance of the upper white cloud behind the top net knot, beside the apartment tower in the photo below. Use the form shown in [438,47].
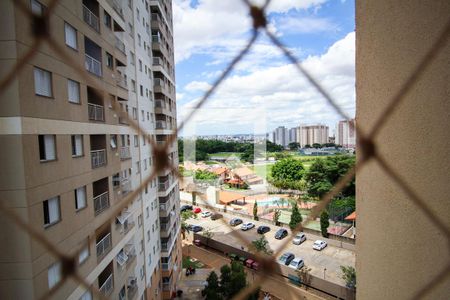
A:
[220,26]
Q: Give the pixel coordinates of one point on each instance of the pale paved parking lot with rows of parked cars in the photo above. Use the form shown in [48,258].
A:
[325,263]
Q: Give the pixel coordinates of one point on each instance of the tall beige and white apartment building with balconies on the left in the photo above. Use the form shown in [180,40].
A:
[69,160]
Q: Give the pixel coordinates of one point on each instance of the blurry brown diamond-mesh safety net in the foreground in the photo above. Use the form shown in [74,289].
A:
[366,148]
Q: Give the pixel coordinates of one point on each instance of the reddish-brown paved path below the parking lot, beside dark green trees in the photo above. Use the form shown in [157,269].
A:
[276,285]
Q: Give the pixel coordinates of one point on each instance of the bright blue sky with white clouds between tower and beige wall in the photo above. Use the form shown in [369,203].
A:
[264,91]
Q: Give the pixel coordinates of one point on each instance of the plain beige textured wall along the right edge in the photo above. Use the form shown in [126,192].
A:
[398,249]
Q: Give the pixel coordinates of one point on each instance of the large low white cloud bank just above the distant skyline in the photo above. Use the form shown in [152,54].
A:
[281,94]
